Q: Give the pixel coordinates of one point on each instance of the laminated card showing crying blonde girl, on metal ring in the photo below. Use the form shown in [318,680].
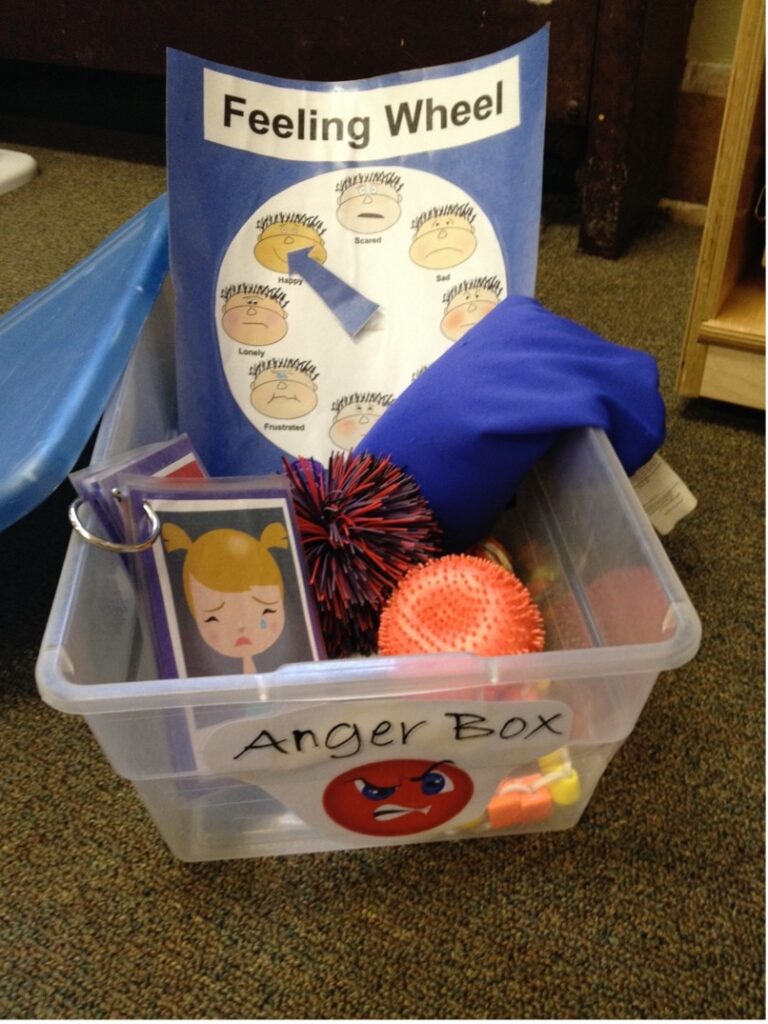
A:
[224,585]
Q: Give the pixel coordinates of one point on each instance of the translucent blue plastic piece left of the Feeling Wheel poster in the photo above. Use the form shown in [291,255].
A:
[62,353]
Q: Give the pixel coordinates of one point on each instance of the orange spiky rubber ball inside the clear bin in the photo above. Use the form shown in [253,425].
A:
[460,604]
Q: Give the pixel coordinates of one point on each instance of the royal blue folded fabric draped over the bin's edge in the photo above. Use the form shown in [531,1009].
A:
[481,416]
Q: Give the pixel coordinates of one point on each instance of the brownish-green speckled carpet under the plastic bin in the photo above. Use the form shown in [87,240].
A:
[652,908]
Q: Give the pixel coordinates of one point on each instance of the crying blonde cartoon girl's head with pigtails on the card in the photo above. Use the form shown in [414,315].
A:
[234,588]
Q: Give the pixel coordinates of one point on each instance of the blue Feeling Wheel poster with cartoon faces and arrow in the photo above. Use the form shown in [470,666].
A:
[329,241]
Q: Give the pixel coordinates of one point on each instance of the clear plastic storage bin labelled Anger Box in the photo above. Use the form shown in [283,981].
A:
[372,752]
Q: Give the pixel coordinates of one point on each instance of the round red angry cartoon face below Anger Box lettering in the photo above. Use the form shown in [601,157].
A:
[398,798]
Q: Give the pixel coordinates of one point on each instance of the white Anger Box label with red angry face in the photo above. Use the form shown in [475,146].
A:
[387,771]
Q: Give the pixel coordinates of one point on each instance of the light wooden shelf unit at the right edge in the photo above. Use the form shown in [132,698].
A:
[724,348]
